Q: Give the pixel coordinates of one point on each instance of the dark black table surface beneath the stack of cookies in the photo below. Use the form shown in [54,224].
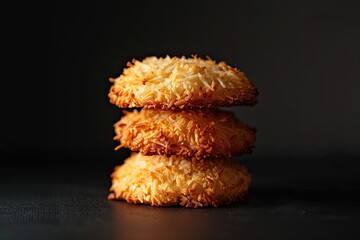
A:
[59,202]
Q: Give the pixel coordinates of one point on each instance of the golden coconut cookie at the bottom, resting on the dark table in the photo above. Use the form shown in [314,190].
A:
[164,181]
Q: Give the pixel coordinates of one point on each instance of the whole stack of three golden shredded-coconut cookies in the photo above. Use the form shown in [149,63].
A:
[183,146]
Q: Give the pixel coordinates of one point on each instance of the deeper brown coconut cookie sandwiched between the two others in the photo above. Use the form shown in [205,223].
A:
[196,133]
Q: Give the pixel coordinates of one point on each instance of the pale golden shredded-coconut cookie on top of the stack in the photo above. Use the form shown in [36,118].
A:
[172,83]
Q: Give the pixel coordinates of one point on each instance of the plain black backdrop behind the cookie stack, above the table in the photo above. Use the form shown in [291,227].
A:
[302,55]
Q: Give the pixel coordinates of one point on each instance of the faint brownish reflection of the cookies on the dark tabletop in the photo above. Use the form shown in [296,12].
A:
[142,222]
